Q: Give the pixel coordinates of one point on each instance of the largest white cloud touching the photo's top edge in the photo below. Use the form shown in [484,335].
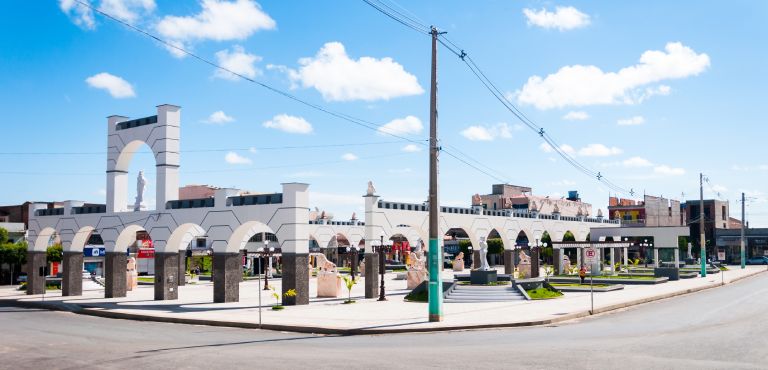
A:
[218,21]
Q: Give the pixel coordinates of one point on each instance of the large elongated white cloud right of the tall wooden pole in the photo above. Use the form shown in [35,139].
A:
[580,85]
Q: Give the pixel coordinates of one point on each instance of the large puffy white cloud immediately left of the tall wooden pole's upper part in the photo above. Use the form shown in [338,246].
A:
[339,78]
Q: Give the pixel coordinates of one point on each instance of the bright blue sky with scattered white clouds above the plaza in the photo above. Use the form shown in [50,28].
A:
[649,93]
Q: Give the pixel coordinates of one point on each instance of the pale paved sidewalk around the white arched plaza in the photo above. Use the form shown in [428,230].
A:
[367,316]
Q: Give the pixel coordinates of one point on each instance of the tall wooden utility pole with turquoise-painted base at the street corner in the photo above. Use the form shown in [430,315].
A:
[435,293]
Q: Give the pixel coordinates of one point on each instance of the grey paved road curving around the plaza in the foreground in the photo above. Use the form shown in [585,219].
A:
[715,329]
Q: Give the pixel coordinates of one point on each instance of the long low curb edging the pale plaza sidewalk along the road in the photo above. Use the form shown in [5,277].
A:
[98,312]
